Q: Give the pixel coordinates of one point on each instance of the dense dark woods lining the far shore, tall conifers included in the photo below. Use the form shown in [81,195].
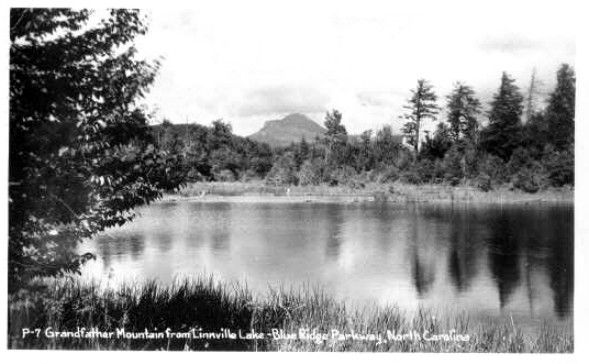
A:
[474,145]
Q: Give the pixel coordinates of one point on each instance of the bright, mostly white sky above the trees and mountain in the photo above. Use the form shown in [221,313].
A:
[248,62]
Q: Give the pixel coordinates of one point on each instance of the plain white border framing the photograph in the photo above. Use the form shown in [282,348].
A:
[578,12]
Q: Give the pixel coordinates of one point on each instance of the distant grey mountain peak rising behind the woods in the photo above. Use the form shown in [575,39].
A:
[291,128]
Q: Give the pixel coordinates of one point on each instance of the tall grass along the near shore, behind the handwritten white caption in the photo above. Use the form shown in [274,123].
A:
[207,306]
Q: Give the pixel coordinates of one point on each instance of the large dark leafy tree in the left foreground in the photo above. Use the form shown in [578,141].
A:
[81,153]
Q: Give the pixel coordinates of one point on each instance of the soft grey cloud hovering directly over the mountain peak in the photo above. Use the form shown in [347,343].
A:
[282,100]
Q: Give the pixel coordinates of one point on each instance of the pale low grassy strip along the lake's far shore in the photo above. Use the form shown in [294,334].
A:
[392,192]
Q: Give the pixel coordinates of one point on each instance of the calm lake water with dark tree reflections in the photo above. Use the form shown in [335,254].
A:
[485,259]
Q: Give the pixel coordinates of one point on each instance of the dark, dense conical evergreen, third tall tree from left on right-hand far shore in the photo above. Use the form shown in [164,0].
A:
[504,132]
